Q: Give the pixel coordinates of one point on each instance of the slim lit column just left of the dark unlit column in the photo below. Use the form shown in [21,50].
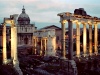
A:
[63,39]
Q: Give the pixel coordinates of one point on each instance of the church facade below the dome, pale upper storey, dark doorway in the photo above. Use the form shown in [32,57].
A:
[25,34]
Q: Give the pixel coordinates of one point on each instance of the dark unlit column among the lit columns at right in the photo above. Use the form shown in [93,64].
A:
[70,33]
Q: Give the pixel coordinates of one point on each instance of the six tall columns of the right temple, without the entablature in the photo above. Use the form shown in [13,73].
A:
[70,29]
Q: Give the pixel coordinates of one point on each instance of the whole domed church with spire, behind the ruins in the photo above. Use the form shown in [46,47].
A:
[25,29]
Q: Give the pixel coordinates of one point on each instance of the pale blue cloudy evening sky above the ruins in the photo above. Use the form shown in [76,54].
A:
[47,10]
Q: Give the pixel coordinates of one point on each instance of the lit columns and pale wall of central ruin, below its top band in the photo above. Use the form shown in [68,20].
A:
[46,45]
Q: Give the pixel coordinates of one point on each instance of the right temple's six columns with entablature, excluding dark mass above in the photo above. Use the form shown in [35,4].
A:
[71,18]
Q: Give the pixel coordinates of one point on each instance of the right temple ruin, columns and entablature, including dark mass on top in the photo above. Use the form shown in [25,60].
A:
[80,18]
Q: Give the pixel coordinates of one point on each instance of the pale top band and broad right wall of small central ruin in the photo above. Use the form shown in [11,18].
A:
[50,36]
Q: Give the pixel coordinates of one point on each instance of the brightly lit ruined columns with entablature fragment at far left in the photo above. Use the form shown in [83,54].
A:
[14,57]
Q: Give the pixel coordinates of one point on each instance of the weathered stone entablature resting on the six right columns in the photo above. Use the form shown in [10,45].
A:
[73,17]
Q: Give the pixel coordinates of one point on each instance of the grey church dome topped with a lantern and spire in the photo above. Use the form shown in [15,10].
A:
[23,18]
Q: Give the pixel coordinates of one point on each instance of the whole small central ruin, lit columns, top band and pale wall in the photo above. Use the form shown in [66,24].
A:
[46,39]
